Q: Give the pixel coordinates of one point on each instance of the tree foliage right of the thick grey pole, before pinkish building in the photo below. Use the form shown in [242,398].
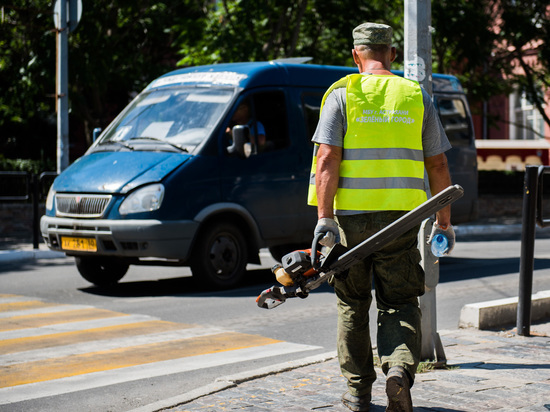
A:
[484,42]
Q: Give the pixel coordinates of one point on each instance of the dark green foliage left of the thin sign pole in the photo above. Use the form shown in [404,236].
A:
[27,80]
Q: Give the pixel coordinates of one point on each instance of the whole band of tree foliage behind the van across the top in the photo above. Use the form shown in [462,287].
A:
[120,46]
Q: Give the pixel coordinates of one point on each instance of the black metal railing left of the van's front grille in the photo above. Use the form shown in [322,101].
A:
[27,187]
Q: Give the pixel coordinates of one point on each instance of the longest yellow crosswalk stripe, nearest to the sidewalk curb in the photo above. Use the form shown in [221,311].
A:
[39,371]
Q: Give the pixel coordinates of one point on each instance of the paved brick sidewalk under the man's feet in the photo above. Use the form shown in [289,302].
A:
[486,371]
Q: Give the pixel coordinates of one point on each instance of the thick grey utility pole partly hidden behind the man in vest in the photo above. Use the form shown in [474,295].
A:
[418,66]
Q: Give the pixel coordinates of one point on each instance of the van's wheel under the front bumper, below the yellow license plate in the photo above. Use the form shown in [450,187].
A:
[101,271]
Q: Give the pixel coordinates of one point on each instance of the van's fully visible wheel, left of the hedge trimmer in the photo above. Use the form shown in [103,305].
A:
[220,256]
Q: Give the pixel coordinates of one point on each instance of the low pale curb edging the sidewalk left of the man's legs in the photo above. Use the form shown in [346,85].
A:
[232,381]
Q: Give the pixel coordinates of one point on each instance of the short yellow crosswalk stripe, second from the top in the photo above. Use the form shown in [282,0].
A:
[55,318]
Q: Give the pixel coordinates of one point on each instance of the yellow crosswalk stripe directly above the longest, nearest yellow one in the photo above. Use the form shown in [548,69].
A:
[103,333]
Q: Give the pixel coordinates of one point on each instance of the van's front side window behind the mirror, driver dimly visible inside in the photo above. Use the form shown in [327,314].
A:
[270,110]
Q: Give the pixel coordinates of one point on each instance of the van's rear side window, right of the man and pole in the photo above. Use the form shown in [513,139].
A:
[454,119]
